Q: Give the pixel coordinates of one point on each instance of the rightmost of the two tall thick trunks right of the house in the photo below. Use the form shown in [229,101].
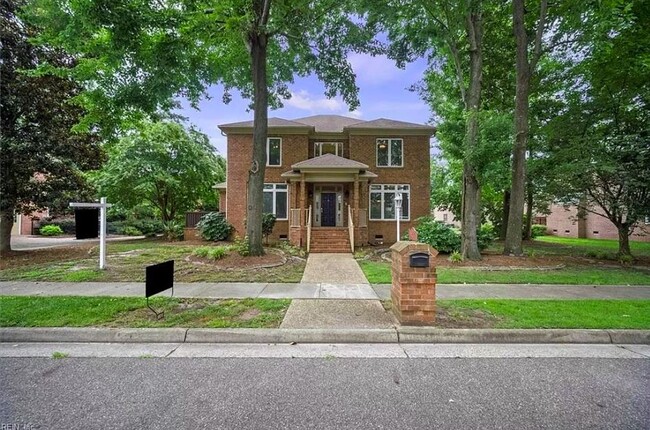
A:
[513,241]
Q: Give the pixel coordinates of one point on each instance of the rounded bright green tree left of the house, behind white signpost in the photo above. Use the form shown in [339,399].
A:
[161,163]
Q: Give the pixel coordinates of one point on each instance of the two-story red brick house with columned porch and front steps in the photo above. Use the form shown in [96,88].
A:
[331,178]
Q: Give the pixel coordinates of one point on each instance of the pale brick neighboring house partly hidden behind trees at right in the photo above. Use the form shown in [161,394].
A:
[564,221]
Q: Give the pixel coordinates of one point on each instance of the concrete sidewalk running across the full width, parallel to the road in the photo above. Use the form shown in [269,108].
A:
[323,290]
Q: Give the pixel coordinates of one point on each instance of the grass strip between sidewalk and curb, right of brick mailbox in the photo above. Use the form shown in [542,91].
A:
[569,314]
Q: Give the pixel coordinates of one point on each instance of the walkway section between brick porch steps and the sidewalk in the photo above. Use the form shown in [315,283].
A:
[333,269]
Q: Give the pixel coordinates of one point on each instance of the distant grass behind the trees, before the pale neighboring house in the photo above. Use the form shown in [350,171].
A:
[574,246]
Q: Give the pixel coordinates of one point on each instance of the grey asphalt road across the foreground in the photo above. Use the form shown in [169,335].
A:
[328,393]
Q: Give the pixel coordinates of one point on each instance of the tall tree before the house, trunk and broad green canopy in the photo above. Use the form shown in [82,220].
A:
[144,54]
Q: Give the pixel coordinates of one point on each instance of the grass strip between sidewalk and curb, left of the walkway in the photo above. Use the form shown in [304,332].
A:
[132,312]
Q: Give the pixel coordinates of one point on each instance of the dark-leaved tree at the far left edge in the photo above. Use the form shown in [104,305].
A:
[41,160]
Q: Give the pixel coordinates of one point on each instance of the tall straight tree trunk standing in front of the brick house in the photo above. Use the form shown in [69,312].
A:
[258,44]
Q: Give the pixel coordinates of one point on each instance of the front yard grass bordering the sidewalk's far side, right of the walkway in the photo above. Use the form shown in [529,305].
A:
[379,273]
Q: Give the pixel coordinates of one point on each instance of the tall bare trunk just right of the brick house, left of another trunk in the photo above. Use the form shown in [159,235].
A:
[471,188]
